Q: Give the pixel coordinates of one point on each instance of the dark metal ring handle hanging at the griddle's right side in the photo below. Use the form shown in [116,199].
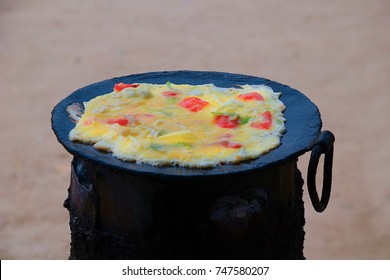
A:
[323,144]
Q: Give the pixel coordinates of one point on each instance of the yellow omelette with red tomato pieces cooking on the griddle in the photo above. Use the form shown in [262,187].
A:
[183,125]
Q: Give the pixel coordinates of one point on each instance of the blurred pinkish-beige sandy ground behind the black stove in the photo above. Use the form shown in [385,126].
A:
[335,52]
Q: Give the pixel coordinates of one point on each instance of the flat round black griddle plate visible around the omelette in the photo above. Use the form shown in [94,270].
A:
[303,122]
